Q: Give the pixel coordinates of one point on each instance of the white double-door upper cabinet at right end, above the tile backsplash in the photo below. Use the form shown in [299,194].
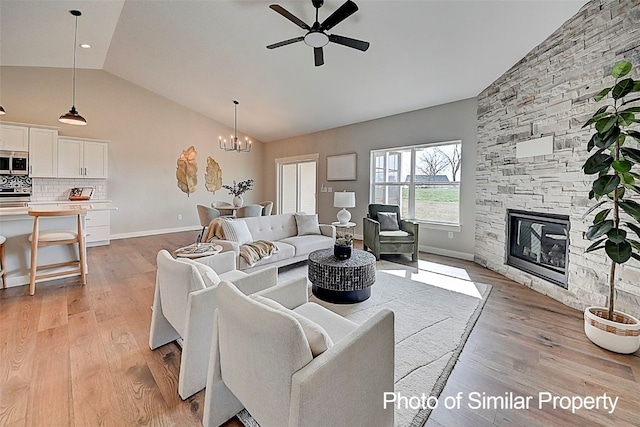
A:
[82,158]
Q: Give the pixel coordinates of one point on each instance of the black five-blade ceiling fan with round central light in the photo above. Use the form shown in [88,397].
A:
[316,36]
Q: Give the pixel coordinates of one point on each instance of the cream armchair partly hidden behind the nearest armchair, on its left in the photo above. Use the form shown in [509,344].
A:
[184,304]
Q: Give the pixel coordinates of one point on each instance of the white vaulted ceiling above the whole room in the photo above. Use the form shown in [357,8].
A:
[204,54]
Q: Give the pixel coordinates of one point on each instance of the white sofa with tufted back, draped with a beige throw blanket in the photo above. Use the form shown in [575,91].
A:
[282,230]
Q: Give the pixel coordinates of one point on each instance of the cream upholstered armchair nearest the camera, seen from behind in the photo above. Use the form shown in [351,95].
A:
[262,359]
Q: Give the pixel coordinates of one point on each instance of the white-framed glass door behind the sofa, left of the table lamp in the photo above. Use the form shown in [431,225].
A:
[297,186]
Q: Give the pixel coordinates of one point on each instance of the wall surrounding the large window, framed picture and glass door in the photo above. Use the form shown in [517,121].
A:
[446,122]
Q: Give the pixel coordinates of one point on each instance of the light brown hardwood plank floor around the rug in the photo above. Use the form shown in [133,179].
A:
[79,356]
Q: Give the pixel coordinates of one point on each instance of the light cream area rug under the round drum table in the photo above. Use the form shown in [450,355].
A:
[435,310]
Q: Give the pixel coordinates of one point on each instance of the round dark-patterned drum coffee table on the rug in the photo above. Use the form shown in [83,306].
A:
[342,281]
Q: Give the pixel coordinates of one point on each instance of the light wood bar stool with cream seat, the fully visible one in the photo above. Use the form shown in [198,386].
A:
[49,238]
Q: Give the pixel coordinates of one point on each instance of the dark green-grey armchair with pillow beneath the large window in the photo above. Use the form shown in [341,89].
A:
[386,233]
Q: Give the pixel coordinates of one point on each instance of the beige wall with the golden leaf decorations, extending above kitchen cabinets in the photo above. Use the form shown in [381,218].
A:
[147,134]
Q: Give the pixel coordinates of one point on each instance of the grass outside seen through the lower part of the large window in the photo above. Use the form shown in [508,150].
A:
[439,204]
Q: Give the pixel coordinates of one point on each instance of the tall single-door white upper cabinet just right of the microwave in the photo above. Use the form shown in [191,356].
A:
[43,153]
